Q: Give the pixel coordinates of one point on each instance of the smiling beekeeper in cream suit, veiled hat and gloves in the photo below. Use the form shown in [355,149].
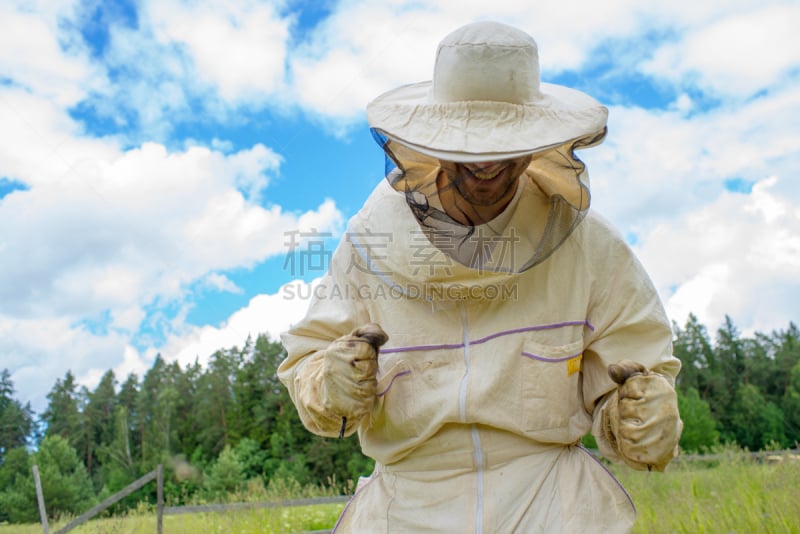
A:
[478,320]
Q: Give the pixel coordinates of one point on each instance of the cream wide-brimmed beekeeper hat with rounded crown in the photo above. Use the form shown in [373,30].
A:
[486,102]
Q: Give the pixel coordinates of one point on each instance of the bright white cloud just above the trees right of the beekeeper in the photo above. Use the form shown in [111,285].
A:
[737,256]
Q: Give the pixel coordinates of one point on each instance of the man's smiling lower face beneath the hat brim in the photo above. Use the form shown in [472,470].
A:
[486,183]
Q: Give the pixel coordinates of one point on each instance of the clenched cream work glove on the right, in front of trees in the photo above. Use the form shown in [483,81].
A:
[641,419]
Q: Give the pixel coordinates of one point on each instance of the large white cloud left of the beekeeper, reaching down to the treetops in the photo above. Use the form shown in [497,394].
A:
[104,232]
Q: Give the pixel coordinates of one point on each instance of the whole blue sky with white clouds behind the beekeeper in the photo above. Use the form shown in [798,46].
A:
[157,156]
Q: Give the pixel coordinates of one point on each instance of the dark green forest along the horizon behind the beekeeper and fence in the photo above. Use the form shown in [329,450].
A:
[230,424]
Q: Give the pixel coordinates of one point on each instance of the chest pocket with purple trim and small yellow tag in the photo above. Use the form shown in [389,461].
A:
[550,384]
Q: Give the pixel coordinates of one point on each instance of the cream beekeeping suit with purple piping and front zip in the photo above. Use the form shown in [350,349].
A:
[488,381]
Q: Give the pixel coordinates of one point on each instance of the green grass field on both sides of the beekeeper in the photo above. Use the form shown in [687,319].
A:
[733,494]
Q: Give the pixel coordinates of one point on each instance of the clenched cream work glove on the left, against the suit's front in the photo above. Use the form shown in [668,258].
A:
[350,367]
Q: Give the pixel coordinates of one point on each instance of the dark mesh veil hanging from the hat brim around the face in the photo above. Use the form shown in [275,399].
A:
[551,199]
